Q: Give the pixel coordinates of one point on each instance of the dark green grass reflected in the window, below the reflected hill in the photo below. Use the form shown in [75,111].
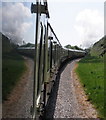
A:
[12,68]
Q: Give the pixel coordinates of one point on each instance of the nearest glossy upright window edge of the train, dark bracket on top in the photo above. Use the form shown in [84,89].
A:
[40,60]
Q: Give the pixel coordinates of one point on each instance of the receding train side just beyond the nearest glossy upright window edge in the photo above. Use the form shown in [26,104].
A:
[53,61]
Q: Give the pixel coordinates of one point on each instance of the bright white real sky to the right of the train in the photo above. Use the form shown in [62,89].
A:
[77,23]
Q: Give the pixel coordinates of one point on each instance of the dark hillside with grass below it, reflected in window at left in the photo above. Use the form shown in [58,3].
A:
[13,66]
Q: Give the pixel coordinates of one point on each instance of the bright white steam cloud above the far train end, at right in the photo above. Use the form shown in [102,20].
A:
[90,27]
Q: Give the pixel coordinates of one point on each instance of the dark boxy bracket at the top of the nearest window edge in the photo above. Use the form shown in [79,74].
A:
[35,9]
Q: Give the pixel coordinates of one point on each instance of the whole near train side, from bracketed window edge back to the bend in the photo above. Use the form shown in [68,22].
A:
[47,59]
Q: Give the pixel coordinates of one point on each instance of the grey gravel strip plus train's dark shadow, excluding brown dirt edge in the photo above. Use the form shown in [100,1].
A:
[63,102]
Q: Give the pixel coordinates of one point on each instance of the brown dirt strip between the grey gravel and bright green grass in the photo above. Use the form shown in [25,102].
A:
[86,108]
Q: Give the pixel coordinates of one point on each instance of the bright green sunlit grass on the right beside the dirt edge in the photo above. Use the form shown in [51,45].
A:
[91,74]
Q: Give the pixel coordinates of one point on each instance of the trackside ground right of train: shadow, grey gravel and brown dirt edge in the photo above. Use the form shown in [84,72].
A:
[64,101]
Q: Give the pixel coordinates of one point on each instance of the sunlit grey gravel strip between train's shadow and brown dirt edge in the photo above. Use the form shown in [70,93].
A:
[66,103]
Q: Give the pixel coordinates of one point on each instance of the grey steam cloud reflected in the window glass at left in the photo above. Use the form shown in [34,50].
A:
[15,20]
